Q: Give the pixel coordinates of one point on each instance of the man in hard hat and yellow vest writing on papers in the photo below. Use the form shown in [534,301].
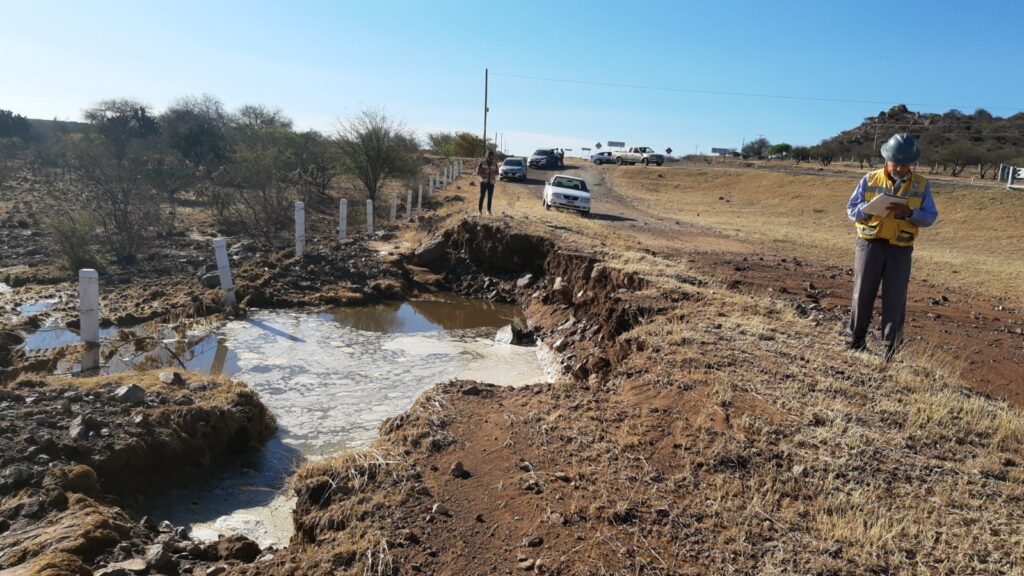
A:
[886,242]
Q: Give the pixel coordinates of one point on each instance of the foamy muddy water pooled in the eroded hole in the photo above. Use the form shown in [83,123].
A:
[331,378]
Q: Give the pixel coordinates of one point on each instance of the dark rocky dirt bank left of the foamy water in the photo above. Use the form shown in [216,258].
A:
[77,451]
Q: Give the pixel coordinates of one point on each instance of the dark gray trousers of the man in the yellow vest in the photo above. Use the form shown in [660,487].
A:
[877,263]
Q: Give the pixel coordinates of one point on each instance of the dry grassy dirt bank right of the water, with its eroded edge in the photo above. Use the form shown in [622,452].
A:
[700,431]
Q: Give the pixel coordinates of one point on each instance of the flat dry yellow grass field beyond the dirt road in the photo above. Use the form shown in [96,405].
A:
[975,244]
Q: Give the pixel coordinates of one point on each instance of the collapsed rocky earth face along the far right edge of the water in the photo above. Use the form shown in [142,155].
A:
[579,306]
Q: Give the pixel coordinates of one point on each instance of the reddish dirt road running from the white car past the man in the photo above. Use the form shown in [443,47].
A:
[978,337]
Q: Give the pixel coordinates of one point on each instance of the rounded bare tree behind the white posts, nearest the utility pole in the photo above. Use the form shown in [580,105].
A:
[375,148]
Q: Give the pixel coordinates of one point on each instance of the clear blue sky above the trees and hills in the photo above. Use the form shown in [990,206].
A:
[424,62]
